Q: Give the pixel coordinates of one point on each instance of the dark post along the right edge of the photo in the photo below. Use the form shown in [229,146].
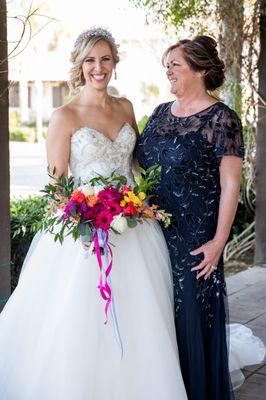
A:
[260,247]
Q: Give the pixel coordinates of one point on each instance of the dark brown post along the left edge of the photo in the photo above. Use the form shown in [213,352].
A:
[4,163]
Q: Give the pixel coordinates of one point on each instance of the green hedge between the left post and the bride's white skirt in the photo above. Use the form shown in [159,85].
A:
[25,214]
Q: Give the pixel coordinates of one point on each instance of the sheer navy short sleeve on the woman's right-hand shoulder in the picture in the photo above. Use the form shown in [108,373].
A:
[228,135]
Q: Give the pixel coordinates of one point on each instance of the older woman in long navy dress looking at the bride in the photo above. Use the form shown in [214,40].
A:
[198,142]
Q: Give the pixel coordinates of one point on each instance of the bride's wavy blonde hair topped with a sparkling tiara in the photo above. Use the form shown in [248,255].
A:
[83,45]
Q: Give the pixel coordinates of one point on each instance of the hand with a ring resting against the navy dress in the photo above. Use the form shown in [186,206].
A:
[212,251]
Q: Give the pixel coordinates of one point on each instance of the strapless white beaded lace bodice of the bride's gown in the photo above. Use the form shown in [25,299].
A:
[93,153]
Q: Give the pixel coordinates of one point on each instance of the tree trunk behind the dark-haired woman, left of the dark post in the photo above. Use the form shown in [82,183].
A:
[231,45]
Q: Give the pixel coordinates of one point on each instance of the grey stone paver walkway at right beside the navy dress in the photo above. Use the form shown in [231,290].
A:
[247,305]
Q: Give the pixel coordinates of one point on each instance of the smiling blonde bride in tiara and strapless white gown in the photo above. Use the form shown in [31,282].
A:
[54,344]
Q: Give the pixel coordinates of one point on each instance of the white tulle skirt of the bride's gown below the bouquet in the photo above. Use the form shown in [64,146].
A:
[53,341]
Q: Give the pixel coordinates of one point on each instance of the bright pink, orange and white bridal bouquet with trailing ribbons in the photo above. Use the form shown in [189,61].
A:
[91,210]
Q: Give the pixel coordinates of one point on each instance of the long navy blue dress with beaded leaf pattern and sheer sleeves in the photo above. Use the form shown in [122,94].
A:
[189,150]
